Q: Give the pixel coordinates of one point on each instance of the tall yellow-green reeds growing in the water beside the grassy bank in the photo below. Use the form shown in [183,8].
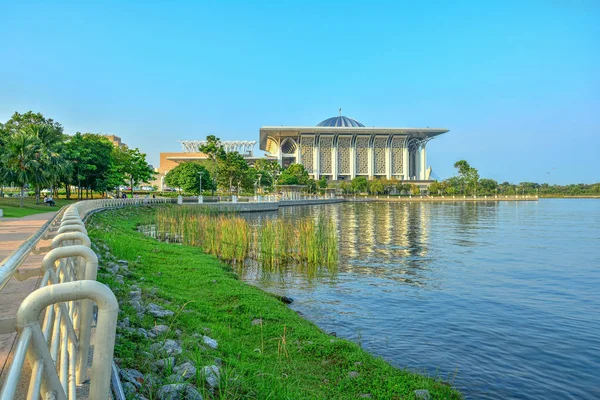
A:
[274,243]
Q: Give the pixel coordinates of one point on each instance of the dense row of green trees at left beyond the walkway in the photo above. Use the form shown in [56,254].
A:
[35,154]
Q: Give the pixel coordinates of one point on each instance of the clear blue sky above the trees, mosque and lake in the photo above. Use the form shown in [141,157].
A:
[516,82]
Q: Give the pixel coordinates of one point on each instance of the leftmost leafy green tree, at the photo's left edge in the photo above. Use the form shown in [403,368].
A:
[20,160]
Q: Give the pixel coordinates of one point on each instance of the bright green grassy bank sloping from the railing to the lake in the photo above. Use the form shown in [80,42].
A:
[287,357]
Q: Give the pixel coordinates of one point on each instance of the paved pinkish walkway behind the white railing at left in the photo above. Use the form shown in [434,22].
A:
[13,232]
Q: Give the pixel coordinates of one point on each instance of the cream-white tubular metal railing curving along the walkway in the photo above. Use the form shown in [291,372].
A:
[54,322]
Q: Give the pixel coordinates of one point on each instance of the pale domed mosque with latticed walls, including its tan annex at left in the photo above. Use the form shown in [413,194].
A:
[338,148]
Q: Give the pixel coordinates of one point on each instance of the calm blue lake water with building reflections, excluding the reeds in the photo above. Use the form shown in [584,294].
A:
[502,299]
